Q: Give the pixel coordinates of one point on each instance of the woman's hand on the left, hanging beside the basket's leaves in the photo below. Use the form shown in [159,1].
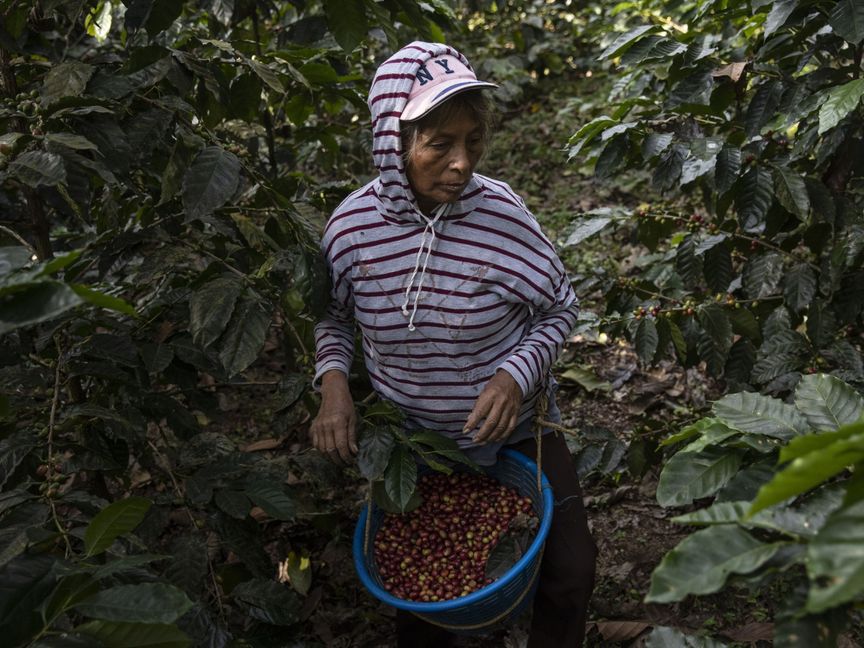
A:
[334,430]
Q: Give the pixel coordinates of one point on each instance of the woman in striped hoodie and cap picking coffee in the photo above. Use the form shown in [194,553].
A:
[462,304]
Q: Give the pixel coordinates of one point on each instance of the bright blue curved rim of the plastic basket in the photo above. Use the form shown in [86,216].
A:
[431,608]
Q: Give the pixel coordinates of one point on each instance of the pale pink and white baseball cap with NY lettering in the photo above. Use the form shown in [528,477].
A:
[436,81]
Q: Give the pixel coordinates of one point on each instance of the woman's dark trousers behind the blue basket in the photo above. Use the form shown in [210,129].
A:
[566,573]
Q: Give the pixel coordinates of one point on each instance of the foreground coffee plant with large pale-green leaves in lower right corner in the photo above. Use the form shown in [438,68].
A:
[778,500]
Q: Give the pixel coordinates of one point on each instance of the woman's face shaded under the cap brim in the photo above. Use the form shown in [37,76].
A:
[443,160]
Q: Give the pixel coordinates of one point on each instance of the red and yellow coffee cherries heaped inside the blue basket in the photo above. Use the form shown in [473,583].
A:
[439,551]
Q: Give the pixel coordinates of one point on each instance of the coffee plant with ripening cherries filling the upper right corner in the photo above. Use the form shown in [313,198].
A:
[748,115]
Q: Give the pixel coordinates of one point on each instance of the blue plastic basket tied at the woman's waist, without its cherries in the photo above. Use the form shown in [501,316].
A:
[494,604]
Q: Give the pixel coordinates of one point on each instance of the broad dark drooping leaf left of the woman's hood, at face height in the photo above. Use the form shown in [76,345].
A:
[210,182]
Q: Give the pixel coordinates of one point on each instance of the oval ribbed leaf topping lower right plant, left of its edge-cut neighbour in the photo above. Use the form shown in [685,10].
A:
[758,414]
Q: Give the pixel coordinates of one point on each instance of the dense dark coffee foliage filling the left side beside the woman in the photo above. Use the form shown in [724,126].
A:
[164,171]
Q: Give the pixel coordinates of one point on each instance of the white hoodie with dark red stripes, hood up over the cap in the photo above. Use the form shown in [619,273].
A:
[442,302]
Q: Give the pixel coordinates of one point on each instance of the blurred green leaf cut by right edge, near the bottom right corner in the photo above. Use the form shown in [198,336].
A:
[835,561]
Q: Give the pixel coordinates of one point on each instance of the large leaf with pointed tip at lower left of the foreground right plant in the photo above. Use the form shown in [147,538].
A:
[702,562]
